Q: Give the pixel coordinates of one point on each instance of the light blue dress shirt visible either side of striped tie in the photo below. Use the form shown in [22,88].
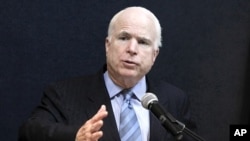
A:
[116,100]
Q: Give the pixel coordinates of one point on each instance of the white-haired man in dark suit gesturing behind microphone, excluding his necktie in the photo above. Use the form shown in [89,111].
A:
[88,108]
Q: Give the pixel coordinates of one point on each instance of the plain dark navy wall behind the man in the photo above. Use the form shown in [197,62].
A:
[205,52]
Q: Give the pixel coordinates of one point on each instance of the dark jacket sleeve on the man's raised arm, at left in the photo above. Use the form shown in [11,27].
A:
[48,122]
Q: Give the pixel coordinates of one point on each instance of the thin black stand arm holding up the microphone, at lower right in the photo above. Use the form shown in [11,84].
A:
[187,131]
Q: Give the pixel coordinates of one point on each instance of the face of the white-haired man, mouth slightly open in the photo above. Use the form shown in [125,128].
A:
[130,50]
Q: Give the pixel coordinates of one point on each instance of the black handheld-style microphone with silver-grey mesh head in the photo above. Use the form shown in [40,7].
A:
[150,101]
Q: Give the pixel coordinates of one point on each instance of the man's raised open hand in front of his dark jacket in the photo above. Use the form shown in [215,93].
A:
[90,131]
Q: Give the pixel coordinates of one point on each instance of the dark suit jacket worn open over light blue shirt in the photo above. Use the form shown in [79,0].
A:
[67,105]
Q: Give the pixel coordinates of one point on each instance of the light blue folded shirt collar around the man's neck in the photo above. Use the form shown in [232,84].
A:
[139,89]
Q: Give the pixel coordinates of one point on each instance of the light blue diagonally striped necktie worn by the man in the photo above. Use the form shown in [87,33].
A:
[129,126]
